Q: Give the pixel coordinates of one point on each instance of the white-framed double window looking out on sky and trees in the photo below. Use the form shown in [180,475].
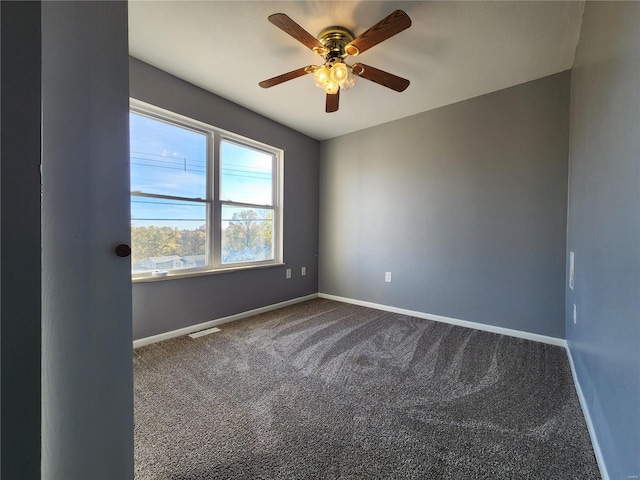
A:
[201,199]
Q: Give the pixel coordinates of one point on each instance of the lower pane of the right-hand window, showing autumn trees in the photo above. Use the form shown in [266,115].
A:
[247,234]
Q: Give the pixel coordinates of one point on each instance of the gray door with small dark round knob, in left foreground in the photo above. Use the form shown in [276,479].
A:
[87,377]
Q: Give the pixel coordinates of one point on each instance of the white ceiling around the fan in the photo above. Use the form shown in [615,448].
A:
[453,51]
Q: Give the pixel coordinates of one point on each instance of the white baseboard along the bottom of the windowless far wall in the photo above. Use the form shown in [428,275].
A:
[454,321]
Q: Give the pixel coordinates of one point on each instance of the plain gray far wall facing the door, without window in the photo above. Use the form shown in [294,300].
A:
[465,205]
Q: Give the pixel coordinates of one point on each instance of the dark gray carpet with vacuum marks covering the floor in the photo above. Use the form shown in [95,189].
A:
[326,390]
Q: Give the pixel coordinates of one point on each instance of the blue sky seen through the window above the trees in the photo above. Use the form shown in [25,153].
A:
[170,160]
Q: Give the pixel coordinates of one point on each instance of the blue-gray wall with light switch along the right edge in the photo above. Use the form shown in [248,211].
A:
[604,228]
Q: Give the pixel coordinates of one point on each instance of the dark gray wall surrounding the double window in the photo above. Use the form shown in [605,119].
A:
[171,304]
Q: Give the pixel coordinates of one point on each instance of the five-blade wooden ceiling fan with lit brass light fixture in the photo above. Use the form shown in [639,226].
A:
[334,44]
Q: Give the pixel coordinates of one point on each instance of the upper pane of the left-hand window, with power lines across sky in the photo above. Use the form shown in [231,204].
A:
[167,159]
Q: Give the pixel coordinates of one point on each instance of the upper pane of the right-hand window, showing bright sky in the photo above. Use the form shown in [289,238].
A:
[245,175]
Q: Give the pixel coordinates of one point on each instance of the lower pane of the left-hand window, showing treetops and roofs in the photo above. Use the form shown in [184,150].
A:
[167,234]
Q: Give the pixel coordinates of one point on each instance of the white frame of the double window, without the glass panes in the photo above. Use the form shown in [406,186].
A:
[214,137]
